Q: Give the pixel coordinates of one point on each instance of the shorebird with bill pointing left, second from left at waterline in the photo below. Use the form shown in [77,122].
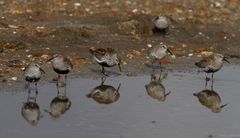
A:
[61,65]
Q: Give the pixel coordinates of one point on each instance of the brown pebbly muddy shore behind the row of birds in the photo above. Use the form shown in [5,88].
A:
[34,31]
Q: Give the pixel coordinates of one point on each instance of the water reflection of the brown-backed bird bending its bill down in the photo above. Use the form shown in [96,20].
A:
[105,94]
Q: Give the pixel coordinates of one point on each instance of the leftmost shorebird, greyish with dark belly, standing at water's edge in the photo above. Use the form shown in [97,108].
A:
[33,74]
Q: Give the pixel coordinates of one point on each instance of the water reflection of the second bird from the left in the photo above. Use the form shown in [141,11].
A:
[59,104]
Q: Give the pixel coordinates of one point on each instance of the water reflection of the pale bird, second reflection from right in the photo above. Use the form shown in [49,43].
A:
[155,88]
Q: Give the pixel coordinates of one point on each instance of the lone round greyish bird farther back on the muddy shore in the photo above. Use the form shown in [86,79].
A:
[161,23]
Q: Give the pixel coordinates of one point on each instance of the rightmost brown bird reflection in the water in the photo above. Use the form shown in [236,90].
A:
[210,99]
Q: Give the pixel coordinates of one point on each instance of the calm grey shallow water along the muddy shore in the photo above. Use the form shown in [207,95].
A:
[134,114]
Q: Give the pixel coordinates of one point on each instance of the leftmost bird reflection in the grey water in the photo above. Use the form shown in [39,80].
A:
[30,110]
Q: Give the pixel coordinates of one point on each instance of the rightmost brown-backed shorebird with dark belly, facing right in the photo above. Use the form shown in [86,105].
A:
[211,64]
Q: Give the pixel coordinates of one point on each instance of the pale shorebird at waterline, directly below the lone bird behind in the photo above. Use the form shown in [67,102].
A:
[158,52]
